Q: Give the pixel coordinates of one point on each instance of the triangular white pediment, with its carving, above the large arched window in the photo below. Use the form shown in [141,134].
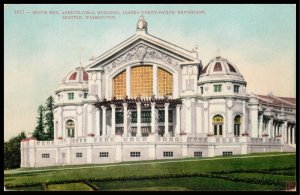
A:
[141,49]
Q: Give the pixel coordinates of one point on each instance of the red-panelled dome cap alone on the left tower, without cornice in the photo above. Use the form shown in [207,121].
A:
[79,75]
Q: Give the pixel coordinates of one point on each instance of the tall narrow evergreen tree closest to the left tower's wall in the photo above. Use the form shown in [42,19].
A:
[49,125]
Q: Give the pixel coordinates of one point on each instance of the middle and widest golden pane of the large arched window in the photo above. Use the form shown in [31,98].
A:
[142,81]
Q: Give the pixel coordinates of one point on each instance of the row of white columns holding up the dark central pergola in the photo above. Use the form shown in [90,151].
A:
[139,124]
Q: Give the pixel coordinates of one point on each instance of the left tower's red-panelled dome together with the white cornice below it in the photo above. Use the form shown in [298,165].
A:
[75,80]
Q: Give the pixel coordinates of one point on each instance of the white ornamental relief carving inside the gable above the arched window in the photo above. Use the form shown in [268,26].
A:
[141,52]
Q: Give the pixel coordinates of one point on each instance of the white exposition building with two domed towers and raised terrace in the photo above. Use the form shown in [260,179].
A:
[149,99]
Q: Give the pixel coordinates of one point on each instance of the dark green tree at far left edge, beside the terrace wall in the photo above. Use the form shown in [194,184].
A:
[12,154]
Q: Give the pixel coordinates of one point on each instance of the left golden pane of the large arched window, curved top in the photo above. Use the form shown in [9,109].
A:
[119,85]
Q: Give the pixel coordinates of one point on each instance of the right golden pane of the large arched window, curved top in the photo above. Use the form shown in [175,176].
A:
[165,82]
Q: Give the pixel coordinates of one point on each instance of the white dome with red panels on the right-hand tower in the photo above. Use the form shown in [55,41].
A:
[220,68]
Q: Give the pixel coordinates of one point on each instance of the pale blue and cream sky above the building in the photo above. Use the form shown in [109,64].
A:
[40,49]
